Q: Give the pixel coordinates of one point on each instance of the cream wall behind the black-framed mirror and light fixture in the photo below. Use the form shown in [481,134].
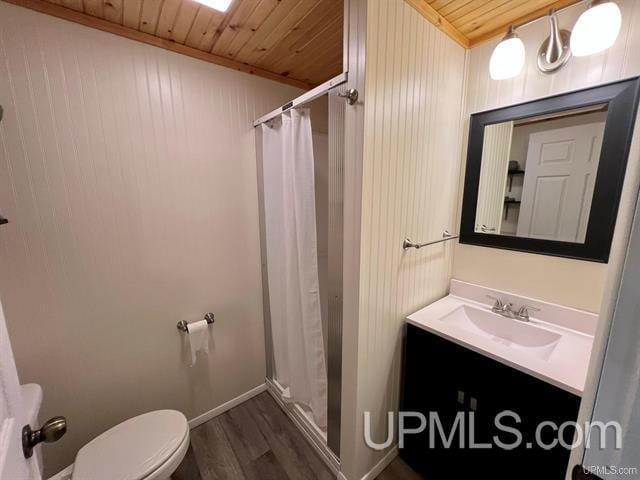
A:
[573,283]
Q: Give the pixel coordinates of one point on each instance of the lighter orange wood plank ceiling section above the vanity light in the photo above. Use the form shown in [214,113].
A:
[470,22]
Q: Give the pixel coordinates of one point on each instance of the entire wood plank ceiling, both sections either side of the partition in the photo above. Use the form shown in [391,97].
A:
[299,42]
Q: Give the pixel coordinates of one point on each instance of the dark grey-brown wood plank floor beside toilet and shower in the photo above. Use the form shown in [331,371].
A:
[257,441]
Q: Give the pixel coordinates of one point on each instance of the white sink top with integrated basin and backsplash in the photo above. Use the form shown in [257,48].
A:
[554,347]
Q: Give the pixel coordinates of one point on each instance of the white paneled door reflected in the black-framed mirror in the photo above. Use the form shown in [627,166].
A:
[558,189]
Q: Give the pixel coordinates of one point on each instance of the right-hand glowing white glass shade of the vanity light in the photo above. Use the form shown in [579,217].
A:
[597,29]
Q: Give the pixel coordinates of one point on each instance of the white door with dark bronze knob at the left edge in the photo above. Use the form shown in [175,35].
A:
[13,464]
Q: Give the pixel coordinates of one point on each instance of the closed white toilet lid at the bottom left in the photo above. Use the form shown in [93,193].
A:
[133,449]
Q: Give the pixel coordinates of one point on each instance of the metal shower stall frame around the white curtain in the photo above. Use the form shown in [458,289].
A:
[331,449]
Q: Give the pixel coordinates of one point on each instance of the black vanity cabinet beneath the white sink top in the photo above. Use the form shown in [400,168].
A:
[445,378]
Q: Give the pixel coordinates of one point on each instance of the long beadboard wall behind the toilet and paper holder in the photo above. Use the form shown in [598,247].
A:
[128,175]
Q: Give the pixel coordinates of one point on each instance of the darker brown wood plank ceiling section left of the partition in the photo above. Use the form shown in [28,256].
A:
[298,42]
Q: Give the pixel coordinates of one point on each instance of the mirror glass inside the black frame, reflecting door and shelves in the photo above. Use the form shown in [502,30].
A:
[538,175]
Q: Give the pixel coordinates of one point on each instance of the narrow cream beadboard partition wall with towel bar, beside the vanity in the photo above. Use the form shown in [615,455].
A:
[411,166]
